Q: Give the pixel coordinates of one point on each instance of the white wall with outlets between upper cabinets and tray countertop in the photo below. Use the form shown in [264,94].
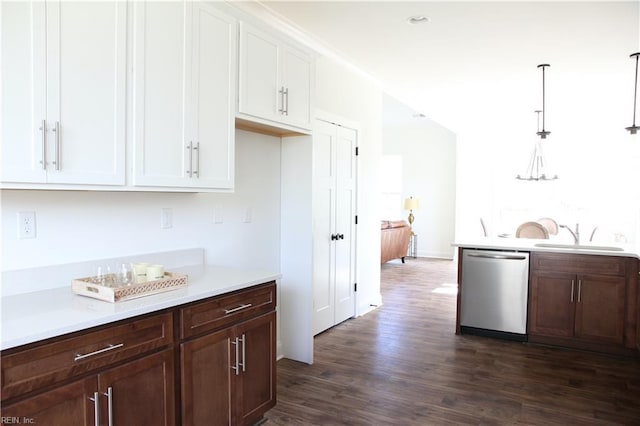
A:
[76,226]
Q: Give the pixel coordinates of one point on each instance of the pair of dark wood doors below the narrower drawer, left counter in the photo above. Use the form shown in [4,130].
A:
[227,379]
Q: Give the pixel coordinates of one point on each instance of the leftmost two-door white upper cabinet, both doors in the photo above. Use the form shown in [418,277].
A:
[63,92]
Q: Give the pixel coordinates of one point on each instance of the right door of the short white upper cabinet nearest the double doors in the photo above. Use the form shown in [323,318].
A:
[297,79]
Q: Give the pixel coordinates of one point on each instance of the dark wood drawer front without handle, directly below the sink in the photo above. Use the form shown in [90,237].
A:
[579,263]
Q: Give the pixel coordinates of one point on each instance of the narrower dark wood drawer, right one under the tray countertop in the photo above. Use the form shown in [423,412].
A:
[225,310]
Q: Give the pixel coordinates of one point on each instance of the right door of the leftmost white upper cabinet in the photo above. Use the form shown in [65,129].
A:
[86,89]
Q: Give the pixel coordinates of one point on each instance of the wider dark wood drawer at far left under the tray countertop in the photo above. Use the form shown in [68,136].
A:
[64,358]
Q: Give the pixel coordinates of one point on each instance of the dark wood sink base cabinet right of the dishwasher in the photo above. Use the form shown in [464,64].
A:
[582,301]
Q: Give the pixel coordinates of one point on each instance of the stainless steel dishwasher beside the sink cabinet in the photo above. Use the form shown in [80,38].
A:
[493,292]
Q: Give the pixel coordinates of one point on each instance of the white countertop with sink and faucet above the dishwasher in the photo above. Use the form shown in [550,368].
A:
[525,244]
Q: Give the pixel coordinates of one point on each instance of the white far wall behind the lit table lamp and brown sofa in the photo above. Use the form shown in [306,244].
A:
[428,153]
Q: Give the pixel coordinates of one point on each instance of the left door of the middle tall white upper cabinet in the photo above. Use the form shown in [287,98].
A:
[161,66]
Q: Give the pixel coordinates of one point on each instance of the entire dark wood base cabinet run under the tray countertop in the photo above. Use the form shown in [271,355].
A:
[126,373]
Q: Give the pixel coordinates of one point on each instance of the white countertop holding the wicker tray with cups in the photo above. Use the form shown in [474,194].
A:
[30,317]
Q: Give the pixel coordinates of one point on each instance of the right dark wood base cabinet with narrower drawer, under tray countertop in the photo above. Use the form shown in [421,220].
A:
[228,374]
